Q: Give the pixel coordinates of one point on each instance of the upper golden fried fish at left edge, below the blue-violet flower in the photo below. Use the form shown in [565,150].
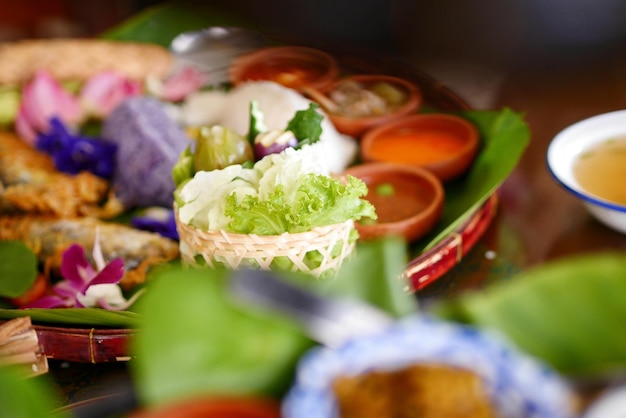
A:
[29,183]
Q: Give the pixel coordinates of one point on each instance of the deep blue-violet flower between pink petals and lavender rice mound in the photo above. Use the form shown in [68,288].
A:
[74,153]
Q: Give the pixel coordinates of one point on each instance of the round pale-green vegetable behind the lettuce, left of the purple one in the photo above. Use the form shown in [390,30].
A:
[218,147]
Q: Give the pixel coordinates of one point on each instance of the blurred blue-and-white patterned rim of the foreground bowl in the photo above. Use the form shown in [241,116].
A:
[519,385]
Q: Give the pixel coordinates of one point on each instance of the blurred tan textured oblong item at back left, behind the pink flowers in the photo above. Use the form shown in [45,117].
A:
[79,59]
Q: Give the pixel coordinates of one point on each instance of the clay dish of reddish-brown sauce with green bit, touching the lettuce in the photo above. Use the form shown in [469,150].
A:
[408,200]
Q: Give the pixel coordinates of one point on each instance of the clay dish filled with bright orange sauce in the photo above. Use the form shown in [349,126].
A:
[444,144]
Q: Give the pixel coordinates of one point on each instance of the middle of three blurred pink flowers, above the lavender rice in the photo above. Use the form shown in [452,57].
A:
[105,91]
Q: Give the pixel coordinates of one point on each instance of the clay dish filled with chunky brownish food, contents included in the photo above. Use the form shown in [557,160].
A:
[360,102]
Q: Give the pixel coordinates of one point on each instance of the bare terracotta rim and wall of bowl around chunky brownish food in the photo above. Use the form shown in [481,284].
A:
[356,125]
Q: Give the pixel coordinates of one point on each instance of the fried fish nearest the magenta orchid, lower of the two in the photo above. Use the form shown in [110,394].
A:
[49,237]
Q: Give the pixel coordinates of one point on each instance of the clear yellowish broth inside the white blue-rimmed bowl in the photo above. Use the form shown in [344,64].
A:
[601,170]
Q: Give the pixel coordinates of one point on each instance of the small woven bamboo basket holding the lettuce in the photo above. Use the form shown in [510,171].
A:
[211,248]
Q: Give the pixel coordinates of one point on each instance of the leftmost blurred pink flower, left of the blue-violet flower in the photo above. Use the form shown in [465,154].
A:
[42,99]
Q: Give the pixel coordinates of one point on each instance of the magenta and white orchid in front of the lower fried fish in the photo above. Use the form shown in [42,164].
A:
[86,286]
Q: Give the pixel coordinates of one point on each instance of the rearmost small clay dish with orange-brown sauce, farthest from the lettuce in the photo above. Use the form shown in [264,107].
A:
[296,67]
